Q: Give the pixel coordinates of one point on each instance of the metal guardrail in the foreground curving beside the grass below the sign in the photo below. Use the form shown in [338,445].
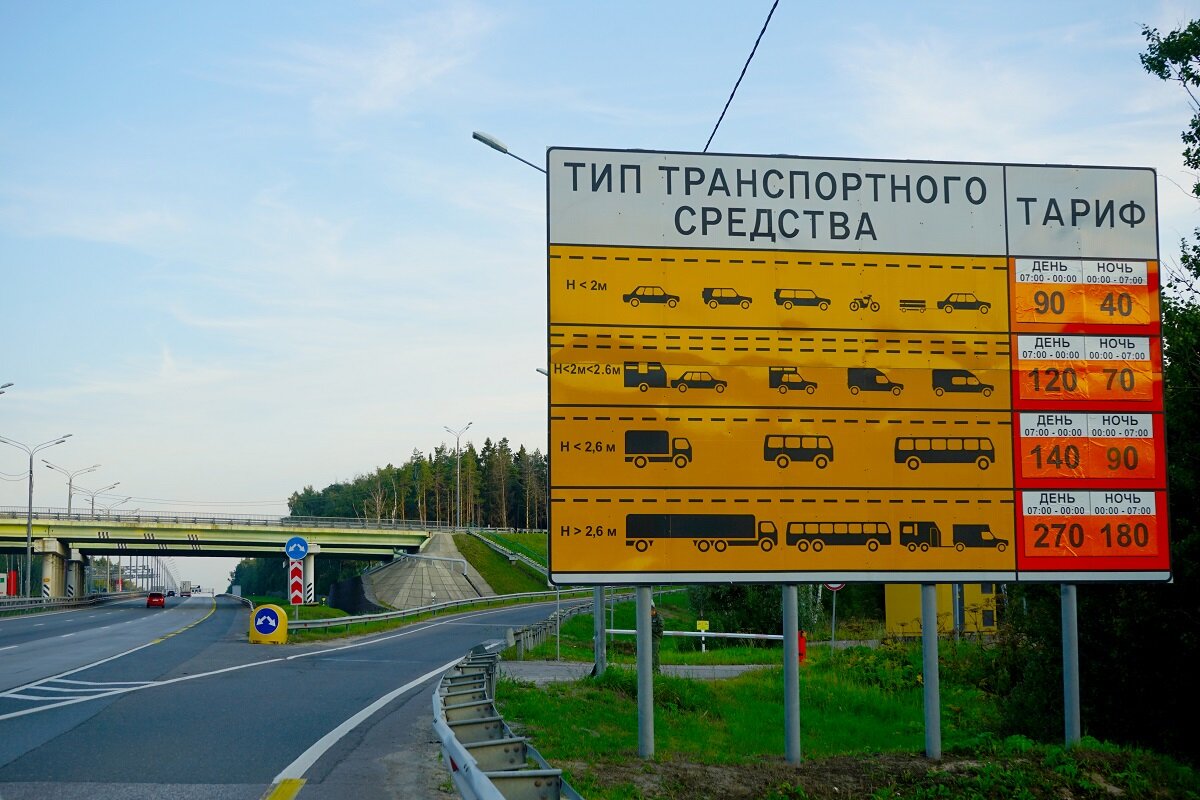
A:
[485,759]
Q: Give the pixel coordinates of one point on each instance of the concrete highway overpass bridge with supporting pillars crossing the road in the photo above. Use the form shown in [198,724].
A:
[68,540]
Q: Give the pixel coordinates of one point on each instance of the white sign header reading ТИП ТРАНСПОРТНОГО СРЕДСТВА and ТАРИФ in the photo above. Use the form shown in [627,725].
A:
[677,200]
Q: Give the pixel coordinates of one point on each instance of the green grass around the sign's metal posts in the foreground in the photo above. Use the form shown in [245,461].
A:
[866,705]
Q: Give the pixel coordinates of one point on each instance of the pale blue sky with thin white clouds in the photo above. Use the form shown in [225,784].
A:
[250,248]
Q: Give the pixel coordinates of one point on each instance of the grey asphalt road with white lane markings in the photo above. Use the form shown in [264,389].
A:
[149,703]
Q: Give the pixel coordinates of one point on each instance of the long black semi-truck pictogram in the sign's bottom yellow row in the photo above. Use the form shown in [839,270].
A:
[705,531]
